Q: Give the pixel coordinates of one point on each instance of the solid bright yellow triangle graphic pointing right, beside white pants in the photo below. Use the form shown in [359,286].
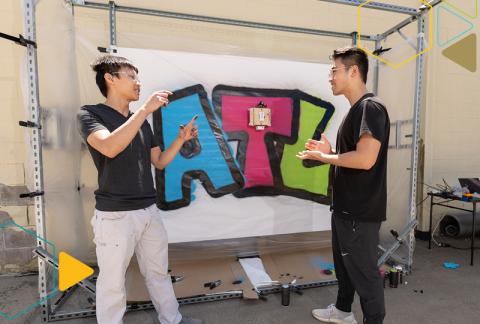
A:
[71,271]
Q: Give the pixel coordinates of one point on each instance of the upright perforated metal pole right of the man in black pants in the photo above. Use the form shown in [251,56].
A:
[416,131]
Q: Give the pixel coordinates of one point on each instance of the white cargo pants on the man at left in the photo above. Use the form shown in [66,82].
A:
[117,236]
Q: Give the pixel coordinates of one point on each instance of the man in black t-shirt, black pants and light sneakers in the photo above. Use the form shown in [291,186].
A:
[358,181]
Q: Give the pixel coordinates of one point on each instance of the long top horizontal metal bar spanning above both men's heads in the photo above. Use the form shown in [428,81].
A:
[222,21]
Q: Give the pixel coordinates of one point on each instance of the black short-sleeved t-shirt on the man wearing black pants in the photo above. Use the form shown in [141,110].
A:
[362,194]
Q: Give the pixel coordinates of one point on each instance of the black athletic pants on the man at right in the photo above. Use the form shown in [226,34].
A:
[355,258]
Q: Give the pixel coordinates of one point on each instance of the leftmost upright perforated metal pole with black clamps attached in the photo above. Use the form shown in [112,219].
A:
[36,143]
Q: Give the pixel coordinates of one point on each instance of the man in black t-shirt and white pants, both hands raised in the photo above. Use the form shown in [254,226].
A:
[126,218]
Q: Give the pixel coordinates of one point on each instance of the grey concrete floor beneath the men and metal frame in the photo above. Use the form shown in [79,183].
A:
[449,296]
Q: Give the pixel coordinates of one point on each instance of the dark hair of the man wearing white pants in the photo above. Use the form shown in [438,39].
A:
[109,64]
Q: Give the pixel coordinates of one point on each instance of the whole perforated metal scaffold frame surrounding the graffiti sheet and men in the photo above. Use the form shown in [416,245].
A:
[51,312]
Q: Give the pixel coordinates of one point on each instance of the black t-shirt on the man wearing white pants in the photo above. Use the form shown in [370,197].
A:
[124,182]
